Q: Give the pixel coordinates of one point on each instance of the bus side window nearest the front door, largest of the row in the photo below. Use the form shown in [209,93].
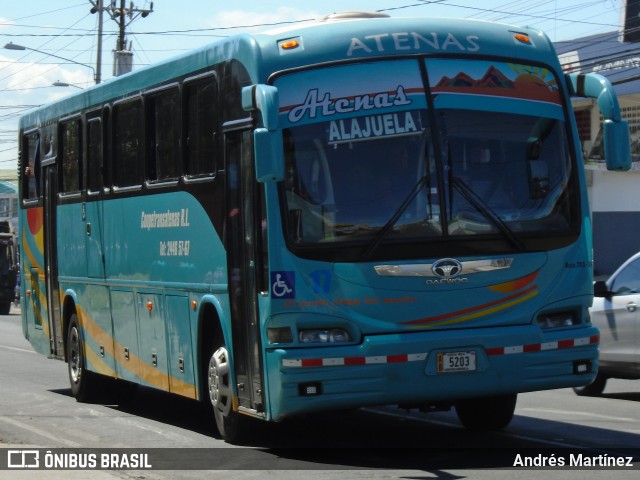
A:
[201,123]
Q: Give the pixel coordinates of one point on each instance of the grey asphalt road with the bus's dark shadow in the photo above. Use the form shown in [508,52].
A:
[38,412]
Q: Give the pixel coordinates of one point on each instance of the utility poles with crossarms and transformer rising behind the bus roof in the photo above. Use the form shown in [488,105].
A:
[122,57]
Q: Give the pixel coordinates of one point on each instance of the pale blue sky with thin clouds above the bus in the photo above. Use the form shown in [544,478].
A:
[67,29]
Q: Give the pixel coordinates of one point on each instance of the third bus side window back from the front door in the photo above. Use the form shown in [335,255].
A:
[128,143]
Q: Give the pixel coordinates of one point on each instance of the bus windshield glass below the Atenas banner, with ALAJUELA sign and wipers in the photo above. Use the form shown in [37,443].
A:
[470,169]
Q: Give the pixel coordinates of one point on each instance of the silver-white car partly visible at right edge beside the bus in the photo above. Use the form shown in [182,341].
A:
[616,312]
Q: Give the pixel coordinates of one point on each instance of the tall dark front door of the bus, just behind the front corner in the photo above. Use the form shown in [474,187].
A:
[244,218]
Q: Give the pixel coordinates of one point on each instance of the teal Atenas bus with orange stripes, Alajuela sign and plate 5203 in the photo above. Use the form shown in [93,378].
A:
[356,211]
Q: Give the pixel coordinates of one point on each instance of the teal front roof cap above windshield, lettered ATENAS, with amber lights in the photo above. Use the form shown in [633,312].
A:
[353,38]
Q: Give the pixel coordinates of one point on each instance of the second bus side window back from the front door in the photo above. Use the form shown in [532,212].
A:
[163,134]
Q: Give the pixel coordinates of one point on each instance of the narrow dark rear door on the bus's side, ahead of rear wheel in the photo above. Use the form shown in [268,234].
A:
[50,194]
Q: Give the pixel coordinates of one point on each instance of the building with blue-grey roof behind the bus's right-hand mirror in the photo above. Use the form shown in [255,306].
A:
[614,196]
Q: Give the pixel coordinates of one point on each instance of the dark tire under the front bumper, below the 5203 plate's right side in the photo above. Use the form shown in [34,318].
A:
[486,413]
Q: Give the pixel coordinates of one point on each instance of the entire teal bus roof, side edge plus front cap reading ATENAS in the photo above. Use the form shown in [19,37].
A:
[322,41]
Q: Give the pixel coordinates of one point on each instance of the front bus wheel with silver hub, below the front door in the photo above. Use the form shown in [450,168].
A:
[230,423]
